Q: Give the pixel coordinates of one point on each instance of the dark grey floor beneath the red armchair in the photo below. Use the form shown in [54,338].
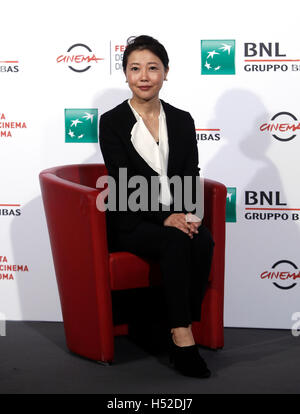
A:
[35,360]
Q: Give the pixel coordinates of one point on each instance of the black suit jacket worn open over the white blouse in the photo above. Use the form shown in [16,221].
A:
[118,152]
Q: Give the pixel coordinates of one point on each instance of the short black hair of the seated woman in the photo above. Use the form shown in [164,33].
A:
[144,42]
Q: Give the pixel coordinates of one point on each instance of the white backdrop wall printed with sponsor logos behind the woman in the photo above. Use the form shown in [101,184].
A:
[36,89]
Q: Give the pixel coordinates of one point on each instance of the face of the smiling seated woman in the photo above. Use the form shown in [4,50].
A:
[145,74]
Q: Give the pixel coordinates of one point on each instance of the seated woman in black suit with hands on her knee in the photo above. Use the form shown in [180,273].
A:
[147,137]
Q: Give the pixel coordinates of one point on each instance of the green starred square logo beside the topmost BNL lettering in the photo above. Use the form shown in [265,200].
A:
[218,57]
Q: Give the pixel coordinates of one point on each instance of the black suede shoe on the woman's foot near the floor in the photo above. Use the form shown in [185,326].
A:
[187,360]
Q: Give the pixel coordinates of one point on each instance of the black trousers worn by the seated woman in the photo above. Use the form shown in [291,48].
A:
[184,263]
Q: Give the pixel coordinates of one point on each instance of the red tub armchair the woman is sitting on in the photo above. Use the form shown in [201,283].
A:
[86,272]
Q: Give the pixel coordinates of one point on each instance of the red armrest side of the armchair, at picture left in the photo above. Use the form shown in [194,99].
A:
[77,231]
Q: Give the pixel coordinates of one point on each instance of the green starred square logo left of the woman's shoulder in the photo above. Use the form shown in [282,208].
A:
[81,125]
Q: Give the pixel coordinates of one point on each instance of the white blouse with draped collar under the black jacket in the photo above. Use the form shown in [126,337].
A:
[156,156]
